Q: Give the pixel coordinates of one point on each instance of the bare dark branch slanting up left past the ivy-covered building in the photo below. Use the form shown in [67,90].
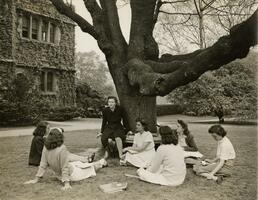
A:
[82,23]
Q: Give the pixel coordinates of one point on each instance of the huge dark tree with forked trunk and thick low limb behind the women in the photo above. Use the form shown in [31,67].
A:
[138,72]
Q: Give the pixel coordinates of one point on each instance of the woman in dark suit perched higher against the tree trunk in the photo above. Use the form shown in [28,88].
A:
[113,133]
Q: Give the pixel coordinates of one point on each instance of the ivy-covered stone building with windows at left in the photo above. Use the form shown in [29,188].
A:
[37,43]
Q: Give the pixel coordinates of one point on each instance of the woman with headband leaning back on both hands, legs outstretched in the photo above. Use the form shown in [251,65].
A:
[68,167]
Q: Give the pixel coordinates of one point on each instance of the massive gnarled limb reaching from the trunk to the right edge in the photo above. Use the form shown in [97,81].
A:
[187,68]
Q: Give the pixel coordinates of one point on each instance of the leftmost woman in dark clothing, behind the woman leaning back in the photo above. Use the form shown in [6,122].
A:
[37,143]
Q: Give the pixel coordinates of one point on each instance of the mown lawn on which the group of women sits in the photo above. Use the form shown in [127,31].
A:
[241,185]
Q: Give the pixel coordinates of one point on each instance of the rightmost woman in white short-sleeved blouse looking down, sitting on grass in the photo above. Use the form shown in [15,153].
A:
[223,161]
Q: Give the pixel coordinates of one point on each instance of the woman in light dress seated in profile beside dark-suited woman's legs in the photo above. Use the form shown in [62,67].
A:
[142,151]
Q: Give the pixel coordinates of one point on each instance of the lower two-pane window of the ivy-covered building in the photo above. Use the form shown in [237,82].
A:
[47,81]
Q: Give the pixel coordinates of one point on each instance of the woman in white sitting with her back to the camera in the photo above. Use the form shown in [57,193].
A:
[168,166]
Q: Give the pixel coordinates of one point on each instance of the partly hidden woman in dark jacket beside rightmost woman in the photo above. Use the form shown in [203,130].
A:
[186,141]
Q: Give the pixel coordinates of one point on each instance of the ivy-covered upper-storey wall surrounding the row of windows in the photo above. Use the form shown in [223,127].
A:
[44,54]
